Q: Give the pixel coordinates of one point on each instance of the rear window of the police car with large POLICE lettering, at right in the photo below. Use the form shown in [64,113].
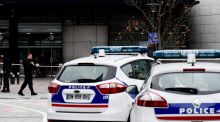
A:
[188,83]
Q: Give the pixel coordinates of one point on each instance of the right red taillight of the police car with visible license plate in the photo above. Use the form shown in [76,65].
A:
[111,88]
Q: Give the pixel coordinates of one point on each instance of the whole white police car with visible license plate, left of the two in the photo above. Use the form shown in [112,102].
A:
[94,88]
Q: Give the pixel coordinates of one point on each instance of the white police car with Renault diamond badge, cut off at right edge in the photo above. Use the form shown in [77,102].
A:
[181,92]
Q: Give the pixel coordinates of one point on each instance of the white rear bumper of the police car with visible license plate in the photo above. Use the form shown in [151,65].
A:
[118,110]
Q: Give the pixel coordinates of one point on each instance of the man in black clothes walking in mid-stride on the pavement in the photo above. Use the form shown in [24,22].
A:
[28,78]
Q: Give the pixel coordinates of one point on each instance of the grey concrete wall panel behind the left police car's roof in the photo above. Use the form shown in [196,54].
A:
[78,40]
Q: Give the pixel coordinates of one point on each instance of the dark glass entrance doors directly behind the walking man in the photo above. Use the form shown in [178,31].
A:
[47,58]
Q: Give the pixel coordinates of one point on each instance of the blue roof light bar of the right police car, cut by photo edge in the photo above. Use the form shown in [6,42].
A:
[175,54]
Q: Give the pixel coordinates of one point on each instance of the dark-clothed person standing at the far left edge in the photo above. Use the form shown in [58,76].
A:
[6,69]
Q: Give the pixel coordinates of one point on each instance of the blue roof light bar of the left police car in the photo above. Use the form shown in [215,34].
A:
[120,49]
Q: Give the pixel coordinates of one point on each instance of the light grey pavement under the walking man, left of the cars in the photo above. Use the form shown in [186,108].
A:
[16,108]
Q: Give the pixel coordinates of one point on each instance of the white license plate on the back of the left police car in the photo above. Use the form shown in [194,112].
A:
[78,96]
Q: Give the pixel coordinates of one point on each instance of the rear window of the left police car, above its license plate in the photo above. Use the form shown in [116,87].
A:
[87,74]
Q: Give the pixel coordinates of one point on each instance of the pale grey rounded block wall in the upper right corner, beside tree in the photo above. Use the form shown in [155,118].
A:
[205,18]
